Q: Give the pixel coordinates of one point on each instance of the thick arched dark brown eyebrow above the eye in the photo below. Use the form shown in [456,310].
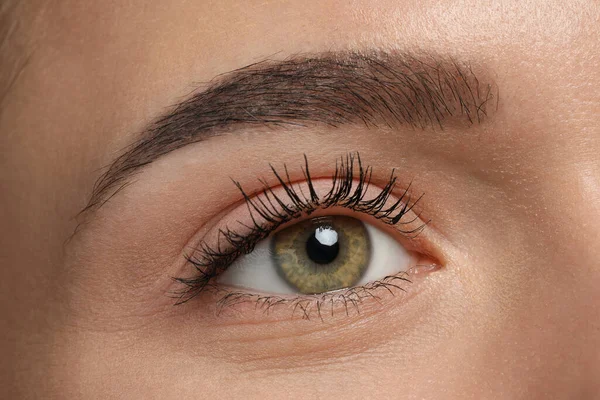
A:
[328,89]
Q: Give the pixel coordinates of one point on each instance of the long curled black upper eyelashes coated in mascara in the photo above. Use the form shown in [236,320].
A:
[346,191]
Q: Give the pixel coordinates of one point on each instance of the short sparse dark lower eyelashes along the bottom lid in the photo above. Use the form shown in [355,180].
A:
[309,306]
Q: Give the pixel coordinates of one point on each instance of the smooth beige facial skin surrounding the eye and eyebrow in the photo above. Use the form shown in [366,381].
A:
[515,205]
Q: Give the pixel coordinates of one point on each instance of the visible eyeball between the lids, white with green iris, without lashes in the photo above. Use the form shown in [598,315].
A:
[319,255]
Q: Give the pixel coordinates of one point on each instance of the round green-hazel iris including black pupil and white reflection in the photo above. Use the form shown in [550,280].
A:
[322,254]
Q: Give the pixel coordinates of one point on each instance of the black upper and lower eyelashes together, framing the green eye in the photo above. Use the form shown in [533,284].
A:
[347,191]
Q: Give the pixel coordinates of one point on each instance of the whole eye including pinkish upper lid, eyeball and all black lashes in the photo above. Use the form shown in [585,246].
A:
[298,243]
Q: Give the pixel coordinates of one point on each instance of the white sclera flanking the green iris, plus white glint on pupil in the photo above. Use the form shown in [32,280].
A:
[257,271]
